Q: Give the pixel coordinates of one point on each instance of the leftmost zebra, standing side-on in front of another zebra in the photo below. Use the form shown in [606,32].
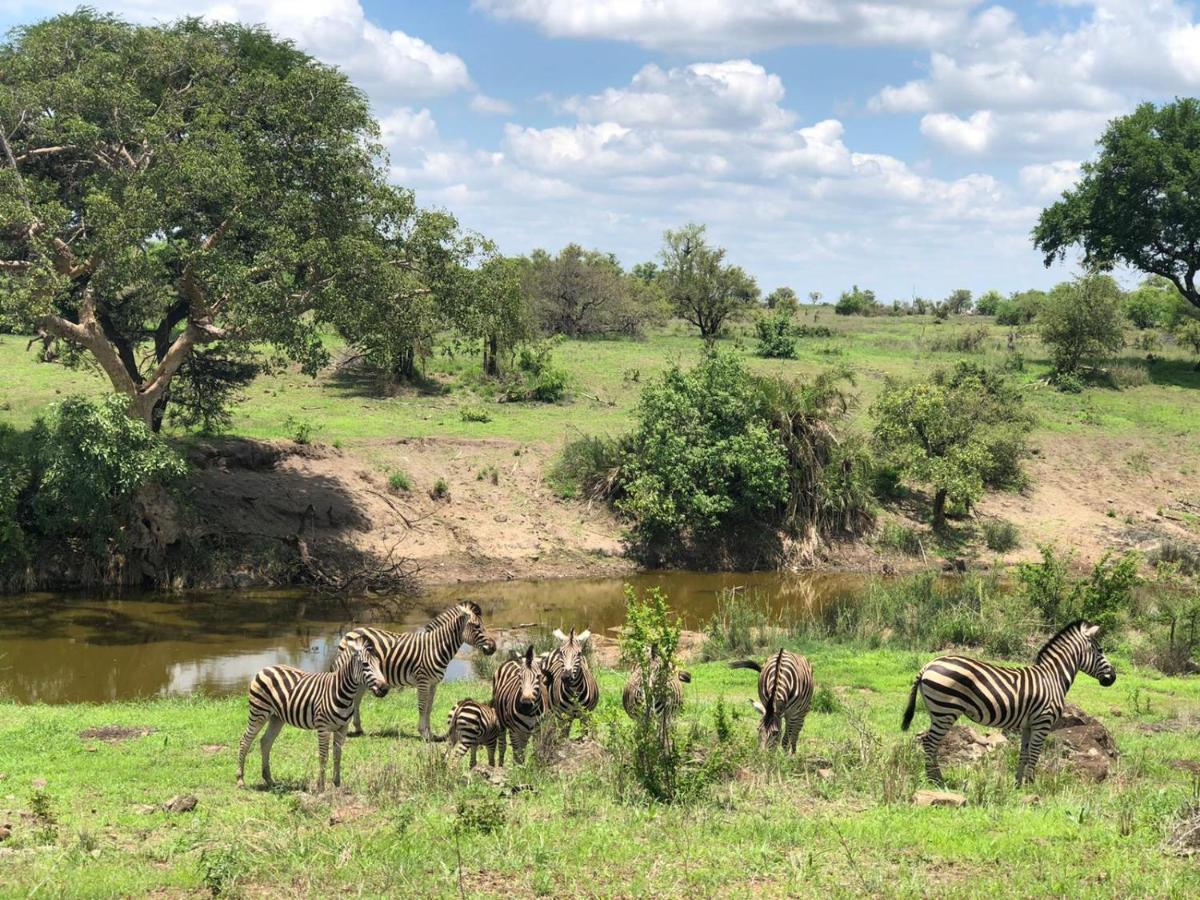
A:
[316,701]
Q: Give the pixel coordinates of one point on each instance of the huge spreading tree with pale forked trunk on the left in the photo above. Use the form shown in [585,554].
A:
[169,188]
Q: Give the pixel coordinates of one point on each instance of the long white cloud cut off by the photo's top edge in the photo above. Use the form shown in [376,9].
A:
[722,26]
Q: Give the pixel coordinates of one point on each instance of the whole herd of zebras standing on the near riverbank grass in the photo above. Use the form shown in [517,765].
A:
[560,685]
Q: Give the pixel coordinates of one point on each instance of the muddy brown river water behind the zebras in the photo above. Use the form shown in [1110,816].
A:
[65,649]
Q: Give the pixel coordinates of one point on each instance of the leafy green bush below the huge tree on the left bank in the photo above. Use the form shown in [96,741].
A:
[91,461]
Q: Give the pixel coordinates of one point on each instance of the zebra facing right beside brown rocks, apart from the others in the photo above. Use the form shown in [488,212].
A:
[1027,698]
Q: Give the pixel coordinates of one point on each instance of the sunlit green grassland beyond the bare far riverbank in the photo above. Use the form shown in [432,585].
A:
[608,376]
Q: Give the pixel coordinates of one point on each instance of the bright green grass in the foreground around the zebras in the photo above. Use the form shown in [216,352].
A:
[836,820]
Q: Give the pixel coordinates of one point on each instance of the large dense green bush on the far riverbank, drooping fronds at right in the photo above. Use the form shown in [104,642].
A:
[722,460]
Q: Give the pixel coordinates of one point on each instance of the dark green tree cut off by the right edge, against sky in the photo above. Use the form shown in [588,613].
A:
[1137,203]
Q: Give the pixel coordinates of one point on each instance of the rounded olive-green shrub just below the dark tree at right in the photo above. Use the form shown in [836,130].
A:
[1081,321]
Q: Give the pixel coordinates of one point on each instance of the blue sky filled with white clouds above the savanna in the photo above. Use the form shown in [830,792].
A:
[905,146]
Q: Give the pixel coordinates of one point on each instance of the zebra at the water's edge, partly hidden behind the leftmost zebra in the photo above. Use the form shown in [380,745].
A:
[422,657]
